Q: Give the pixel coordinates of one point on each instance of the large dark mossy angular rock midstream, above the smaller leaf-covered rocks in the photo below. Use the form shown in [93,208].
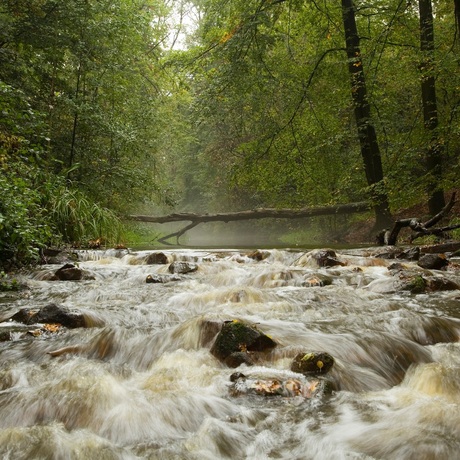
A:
[237,337]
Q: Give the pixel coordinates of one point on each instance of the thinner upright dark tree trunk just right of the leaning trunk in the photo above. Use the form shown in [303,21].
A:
[434,153]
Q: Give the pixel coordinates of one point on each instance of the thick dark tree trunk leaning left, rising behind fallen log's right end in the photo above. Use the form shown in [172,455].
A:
[370,151]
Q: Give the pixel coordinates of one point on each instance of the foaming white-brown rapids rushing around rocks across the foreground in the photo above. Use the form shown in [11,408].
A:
[142,383]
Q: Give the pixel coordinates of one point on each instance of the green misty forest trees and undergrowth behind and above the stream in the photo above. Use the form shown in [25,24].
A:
[114,107]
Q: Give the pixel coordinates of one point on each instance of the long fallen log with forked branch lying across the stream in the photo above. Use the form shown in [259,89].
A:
[259,213]
